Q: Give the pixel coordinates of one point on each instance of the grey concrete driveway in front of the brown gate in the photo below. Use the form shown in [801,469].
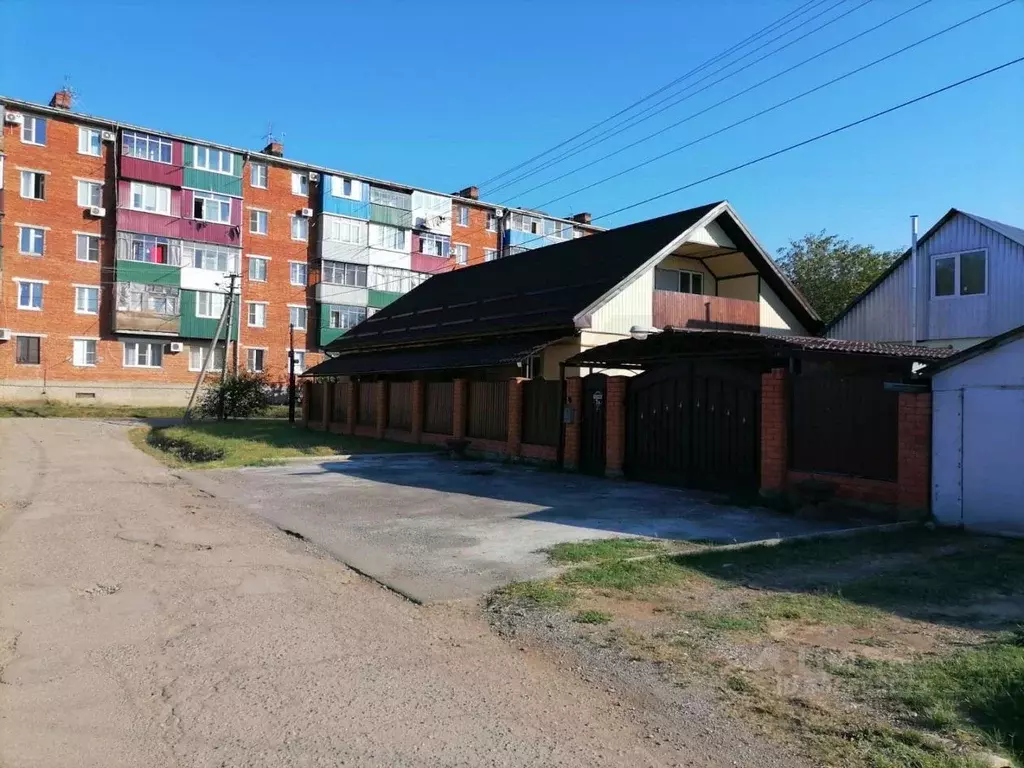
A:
[439,530]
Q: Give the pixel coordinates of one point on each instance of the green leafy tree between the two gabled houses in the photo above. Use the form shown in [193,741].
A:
[832,272]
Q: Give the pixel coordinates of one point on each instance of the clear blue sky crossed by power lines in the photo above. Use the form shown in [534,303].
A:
[446,94]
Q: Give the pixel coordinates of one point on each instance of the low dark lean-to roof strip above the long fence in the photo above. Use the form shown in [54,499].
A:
[501,352]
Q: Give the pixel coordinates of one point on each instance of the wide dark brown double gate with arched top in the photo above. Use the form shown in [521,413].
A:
[697,425]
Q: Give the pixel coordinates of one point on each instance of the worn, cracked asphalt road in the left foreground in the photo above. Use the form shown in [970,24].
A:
[145,623]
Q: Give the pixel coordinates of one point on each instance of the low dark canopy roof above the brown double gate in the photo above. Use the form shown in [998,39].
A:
[676,344]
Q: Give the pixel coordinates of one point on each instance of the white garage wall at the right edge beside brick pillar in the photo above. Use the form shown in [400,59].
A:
[978,437]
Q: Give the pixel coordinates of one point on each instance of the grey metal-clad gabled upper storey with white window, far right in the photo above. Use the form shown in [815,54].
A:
[967,288]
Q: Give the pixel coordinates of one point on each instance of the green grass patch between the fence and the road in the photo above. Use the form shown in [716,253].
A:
[262,443]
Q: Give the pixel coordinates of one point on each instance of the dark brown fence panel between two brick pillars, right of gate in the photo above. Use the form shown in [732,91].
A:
[846,425]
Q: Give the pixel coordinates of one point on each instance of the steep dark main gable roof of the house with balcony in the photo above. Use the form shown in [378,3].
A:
[547,288]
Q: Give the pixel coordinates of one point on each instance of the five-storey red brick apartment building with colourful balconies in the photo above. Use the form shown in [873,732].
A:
[120,246]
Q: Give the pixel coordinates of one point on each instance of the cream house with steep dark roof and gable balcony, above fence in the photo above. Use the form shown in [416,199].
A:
[700,269]
